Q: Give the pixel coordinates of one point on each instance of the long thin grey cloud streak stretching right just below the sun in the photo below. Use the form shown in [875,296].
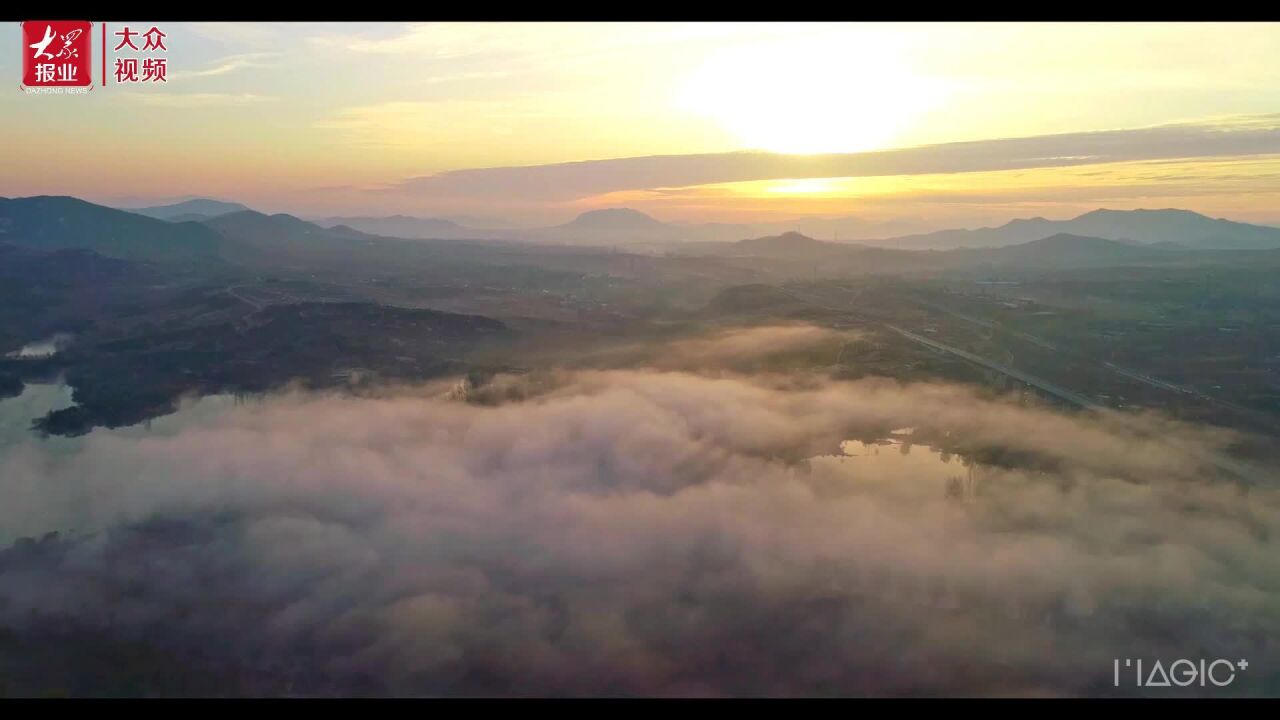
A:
[570,181]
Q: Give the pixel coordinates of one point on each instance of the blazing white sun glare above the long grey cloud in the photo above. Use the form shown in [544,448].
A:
[833,95]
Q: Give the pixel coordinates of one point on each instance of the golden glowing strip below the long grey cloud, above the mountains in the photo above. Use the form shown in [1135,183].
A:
[1247,186]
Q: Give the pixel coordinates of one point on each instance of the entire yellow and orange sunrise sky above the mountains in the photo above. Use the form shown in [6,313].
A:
[957,125]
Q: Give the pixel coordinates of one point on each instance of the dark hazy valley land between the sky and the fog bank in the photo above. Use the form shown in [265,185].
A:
[280,302]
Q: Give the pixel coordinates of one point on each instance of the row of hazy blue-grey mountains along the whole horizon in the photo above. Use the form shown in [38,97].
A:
[253,239]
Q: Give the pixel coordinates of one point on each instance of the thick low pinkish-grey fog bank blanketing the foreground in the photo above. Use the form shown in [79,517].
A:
[633,532]
